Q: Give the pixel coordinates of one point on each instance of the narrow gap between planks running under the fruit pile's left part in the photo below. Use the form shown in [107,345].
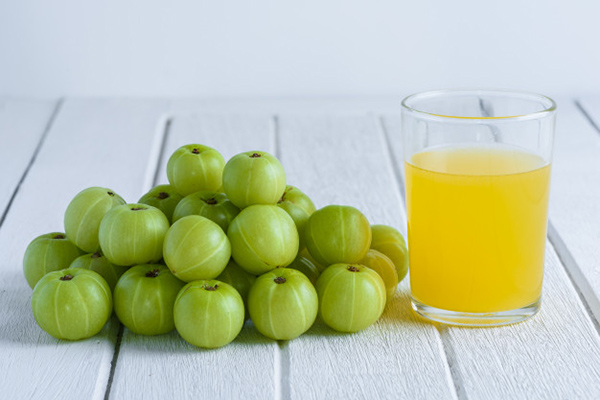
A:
[160,138]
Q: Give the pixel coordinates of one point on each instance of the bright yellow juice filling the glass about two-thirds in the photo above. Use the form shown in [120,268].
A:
[477,220]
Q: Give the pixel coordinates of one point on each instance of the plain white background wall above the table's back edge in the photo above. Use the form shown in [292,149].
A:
[289,48]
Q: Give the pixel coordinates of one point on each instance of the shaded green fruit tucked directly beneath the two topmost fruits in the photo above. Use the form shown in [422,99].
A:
[212,205]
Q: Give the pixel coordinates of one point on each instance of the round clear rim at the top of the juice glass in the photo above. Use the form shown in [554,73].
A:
[547,102]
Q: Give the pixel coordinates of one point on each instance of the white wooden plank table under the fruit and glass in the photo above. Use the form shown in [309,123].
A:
[339,151]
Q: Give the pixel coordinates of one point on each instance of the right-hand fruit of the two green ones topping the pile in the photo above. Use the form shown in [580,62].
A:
[253,177]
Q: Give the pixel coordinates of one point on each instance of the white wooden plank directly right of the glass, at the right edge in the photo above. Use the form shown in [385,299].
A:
[575,196]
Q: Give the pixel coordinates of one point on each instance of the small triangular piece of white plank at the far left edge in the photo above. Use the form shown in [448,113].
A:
[22,125]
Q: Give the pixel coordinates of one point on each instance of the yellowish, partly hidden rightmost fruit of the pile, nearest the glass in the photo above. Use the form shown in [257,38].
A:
[390,242]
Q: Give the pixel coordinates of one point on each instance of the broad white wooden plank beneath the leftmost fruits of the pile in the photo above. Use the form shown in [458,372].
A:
[92,142]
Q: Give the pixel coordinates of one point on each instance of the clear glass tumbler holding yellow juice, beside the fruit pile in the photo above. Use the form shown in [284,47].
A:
[477,174]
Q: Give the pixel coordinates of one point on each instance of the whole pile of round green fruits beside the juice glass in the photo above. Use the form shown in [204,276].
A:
[221,243]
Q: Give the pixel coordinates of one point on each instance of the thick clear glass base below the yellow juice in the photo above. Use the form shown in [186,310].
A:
[476,319]
